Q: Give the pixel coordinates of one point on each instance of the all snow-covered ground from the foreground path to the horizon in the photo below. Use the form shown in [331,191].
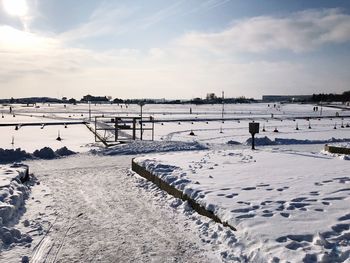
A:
[288,200]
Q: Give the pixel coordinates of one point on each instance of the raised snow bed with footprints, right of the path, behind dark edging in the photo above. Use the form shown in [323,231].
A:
[285,205]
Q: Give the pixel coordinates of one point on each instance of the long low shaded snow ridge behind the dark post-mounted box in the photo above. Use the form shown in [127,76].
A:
[285,141]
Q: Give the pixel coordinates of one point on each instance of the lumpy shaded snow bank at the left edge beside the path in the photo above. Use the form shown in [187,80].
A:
[13,193]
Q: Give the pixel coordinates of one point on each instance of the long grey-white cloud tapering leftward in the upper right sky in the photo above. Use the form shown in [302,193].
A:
[299,32]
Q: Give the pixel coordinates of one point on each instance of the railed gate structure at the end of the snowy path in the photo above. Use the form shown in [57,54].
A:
[123,129]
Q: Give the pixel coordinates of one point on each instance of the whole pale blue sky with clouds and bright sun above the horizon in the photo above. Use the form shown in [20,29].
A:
[173,49]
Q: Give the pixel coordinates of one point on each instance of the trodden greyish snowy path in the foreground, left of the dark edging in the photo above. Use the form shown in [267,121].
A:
[103,216]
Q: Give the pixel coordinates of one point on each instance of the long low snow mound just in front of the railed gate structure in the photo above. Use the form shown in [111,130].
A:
[139,147]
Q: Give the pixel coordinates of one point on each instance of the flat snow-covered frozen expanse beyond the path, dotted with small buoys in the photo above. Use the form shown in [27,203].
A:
[209,130]
